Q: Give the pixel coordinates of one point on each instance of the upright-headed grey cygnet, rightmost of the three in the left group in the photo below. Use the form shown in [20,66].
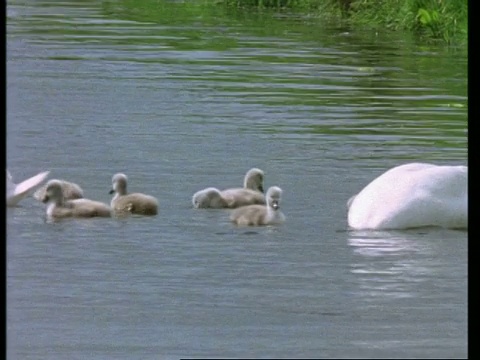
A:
[134,203]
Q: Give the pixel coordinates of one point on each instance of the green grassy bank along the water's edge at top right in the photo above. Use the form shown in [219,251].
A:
[445,20]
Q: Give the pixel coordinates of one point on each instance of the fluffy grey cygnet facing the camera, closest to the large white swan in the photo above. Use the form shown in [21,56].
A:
[256,215]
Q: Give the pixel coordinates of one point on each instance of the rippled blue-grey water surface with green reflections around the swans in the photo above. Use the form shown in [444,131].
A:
[180,97]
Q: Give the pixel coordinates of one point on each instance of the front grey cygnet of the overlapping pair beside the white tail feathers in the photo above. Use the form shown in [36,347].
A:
[58,207]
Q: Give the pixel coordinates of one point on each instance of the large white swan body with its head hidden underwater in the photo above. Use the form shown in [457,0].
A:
[412,195]
